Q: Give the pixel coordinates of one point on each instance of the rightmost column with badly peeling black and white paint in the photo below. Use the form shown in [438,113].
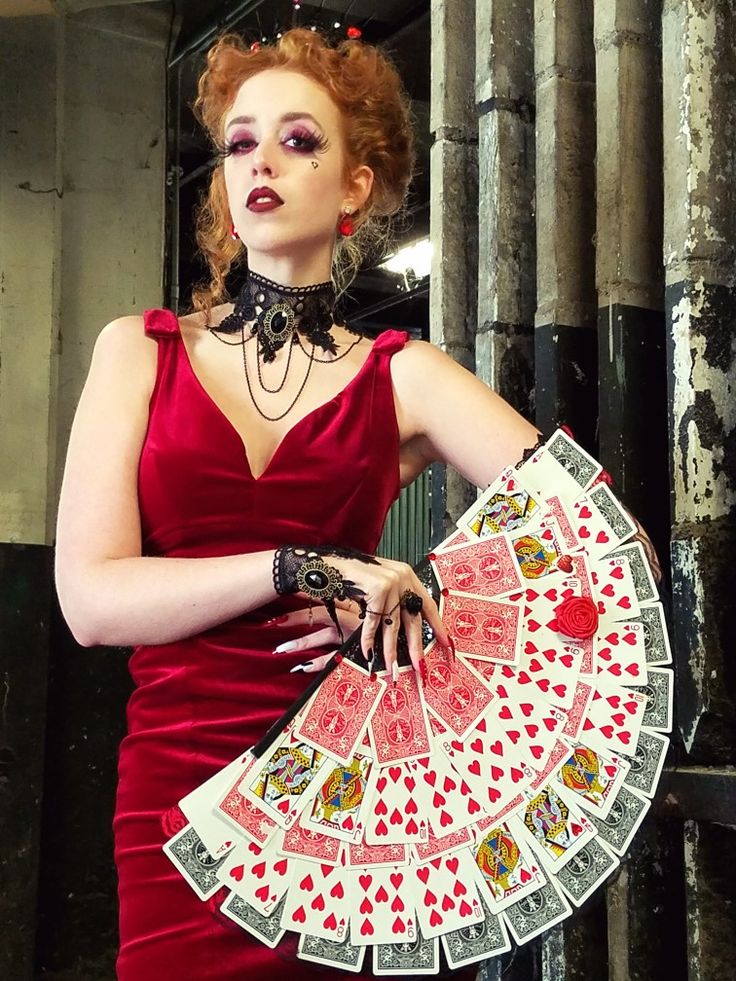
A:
[699,73]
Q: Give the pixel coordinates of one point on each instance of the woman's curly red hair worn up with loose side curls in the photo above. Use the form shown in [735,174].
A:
[377,129]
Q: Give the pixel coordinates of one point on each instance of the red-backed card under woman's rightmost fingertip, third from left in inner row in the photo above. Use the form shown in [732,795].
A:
[453,691]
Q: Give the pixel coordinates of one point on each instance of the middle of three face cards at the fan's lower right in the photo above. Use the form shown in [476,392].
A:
[555,827]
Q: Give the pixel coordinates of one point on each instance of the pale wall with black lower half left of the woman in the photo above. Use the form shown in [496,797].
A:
[81,242]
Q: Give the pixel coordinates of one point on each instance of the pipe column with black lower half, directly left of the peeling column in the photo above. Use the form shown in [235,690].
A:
[632,376]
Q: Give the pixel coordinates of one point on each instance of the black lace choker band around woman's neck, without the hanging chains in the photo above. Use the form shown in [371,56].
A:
[281,313]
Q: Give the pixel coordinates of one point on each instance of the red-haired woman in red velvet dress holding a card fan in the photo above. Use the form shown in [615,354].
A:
[203,454]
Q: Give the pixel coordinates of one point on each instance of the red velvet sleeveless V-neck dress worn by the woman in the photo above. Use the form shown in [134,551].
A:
[199,702]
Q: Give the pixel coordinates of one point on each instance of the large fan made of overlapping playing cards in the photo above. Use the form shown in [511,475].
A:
[476,808]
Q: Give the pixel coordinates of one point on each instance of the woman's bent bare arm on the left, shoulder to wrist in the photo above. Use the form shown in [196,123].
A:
[109,593]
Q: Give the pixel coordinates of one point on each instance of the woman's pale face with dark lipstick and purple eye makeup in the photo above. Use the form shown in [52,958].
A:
[283,135]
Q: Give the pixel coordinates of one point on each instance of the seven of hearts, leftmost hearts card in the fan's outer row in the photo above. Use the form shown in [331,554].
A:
[260,876]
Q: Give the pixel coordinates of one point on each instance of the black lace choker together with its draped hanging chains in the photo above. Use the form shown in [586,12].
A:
[279,316]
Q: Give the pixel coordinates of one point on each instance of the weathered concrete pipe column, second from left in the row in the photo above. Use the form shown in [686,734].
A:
[504,92]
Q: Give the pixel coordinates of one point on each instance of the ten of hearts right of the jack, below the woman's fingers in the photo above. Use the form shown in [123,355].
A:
[394,815]
